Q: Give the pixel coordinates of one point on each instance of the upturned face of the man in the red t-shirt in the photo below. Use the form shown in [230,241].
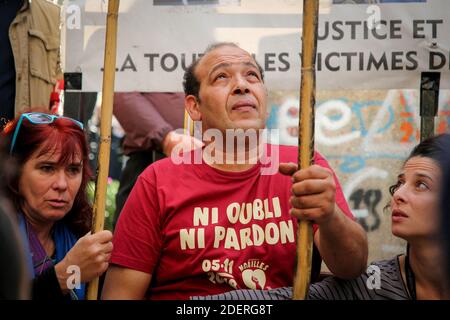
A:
[232,93]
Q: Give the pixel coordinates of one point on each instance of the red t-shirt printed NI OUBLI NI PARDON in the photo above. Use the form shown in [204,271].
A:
[202,231]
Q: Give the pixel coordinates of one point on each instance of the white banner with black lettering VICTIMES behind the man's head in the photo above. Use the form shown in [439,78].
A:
[361,46]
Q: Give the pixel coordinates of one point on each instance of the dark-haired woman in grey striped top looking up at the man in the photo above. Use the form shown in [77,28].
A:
[418,275]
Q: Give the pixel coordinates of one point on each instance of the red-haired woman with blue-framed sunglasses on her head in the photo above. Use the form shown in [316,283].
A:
[50,198]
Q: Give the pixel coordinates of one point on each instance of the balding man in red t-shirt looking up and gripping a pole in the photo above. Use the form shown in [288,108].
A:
[218,218]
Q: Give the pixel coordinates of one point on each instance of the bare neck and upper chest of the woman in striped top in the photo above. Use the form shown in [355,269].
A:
[426,262]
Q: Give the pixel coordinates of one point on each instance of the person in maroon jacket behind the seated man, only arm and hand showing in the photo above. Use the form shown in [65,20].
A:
[150,120]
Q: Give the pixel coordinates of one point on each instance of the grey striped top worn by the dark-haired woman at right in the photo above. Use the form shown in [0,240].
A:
[382,281]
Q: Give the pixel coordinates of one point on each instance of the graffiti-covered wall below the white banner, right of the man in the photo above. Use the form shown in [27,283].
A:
[365,137]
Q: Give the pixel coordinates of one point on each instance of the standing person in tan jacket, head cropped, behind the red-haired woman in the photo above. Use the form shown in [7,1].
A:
[30,55]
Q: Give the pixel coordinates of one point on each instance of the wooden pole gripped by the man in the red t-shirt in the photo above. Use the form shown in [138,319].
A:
[306,139]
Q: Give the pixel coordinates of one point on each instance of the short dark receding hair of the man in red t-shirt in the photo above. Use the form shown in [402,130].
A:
[191,84]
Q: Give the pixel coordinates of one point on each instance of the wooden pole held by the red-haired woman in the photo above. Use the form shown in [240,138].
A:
[98,218]
